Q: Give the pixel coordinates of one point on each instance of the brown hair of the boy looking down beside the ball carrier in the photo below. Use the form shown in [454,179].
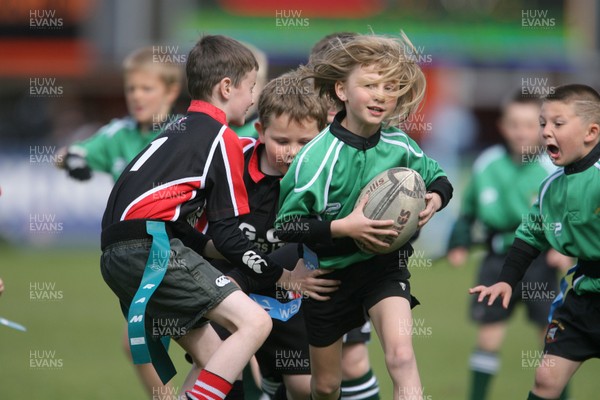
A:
[293,96]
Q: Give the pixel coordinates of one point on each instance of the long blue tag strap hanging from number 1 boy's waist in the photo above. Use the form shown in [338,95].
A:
[143,350]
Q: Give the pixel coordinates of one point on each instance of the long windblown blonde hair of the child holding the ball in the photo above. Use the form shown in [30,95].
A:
[393,58]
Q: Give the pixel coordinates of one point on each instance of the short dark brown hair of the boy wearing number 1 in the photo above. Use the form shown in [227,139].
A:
[213,58]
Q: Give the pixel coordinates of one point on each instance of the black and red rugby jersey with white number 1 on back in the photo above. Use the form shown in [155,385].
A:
[192,172]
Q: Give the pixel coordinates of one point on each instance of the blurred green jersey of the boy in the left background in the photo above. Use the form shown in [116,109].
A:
[114,145]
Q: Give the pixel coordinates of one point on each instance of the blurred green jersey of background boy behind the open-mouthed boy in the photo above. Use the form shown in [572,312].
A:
[499,195]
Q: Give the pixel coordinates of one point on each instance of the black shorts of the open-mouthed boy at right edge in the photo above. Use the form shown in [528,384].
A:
[574,332]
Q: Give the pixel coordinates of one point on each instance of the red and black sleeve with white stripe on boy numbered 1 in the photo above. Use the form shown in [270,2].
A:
[227,195]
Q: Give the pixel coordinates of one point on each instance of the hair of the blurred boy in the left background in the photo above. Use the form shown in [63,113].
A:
[169,72]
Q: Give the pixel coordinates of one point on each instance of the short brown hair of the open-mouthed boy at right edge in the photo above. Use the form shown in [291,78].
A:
[585,100]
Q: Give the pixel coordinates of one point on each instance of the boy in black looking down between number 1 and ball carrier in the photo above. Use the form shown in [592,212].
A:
[290,114]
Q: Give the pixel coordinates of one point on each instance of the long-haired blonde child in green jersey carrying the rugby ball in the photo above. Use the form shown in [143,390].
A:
[373,79]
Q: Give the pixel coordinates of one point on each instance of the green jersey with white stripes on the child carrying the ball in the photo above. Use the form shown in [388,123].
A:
[327,175]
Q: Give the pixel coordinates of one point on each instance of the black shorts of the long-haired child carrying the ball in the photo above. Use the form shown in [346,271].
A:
[362,286]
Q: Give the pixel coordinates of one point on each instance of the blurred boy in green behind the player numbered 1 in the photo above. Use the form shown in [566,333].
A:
[151,89]
